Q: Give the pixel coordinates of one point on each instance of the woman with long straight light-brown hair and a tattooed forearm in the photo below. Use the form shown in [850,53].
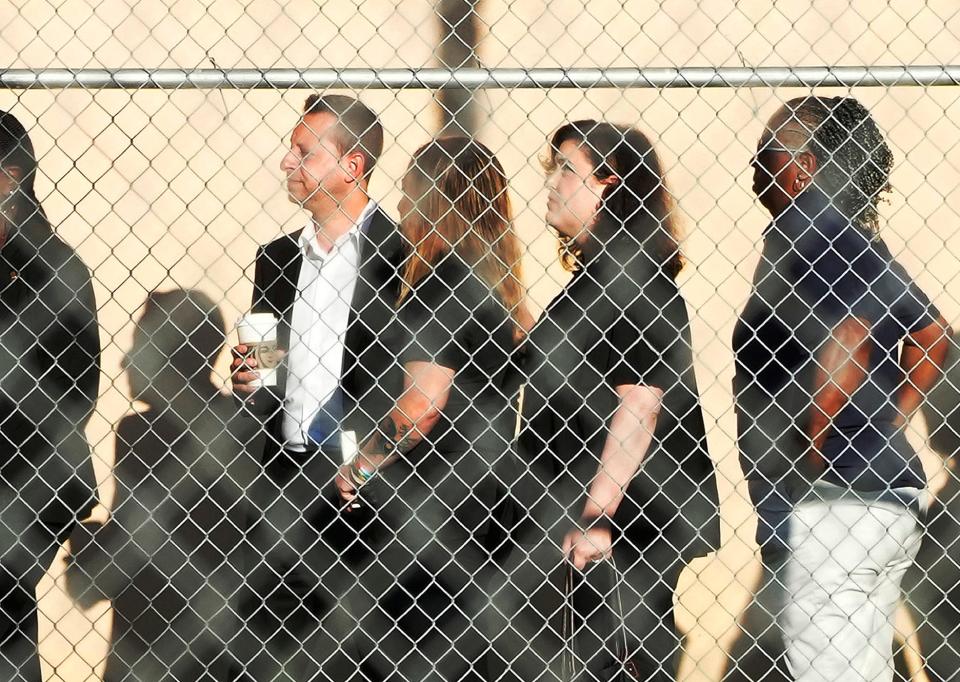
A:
[433,470]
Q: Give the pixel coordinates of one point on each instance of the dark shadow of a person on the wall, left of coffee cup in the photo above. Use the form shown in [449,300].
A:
[167,557]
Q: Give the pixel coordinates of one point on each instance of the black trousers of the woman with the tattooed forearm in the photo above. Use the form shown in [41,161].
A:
[422,599]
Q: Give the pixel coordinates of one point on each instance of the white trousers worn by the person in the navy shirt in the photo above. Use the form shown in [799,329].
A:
[847,558]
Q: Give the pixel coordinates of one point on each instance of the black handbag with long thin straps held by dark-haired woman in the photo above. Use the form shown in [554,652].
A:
[620,668]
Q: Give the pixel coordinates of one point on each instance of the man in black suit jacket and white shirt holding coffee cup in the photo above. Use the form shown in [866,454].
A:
[333,287]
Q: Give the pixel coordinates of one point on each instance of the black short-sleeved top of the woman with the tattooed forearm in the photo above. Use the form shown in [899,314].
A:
[452,318]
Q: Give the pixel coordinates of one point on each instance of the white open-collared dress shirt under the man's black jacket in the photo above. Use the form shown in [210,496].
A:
[318,326]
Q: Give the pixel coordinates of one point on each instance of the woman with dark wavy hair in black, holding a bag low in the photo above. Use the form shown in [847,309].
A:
[610,387]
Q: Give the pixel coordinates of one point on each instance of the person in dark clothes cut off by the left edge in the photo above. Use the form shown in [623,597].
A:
[49,375]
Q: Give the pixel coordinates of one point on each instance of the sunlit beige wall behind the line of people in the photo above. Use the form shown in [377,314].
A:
[163,189]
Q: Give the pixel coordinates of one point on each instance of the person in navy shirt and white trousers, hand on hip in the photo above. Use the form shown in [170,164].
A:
[823,391]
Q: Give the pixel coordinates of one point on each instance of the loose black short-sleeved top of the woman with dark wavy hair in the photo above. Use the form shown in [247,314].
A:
[619,321]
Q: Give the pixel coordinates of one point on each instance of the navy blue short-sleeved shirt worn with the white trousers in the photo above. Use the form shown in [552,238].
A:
[817,269]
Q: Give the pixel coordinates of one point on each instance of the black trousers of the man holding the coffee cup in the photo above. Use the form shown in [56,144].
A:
[302,554]
